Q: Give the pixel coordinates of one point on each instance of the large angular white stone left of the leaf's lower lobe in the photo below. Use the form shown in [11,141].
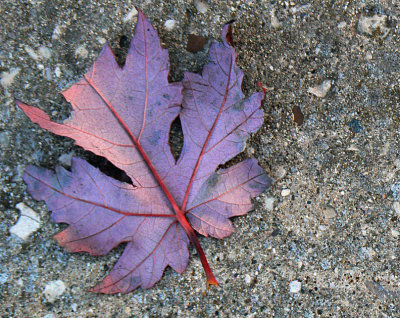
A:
[28,222]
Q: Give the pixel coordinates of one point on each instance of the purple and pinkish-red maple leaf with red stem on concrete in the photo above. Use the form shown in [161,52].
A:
[125,114]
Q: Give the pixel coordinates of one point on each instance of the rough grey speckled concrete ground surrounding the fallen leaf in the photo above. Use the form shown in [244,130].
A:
[328,248]
